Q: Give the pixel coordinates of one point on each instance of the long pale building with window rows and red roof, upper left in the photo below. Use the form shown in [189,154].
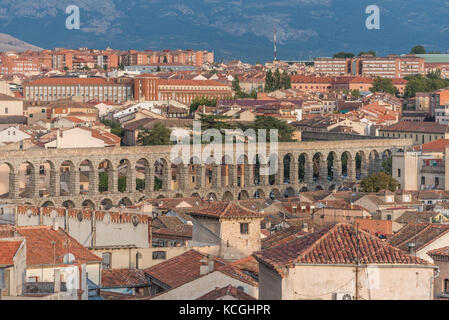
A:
[81,89]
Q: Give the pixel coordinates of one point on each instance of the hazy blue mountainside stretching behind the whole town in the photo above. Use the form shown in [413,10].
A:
[237,29]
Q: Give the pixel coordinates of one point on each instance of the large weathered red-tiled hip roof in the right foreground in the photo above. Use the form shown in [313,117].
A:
[335,245]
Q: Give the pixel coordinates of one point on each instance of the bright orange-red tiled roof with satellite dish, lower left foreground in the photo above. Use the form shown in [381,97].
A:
[40,249]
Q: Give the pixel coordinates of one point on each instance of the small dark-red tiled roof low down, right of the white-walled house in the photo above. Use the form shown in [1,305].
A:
[123,278]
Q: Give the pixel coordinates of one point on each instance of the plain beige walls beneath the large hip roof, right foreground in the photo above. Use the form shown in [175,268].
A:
[319,282]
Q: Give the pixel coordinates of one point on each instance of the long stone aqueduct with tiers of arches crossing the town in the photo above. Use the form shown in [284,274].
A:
[93,175]
